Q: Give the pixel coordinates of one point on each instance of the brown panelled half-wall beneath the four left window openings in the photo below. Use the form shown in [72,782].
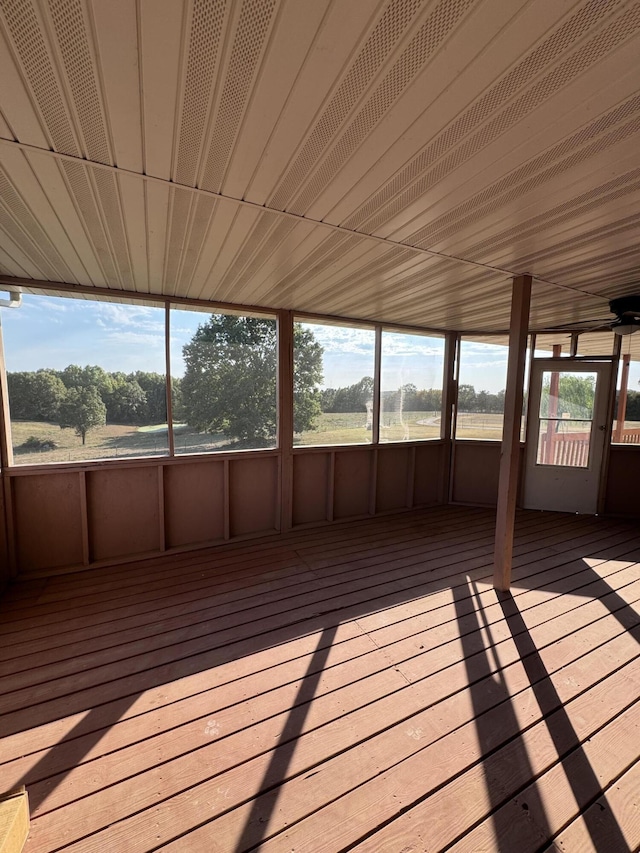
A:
[100,513]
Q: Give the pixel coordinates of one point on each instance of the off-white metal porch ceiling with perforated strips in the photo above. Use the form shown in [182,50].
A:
[395,160]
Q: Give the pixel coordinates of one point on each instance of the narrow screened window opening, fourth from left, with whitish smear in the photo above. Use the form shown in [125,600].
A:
[410,387]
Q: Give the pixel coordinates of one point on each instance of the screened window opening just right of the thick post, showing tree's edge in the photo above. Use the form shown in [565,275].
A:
[333,384]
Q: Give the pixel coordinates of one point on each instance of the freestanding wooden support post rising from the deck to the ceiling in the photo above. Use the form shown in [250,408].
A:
[510,452]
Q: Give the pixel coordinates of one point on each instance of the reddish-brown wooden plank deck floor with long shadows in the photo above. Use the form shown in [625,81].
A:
[356,687]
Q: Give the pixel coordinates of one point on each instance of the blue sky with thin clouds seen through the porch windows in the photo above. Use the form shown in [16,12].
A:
[49,331]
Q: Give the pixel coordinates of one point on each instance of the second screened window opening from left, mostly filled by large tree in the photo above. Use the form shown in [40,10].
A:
[223,381]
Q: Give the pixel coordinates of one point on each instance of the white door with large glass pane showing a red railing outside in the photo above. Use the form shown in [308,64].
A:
[566,433]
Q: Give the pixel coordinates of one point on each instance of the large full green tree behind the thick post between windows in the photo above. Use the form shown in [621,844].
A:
[229,385]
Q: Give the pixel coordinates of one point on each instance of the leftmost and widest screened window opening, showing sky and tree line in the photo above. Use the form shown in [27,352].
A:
[86,379]
